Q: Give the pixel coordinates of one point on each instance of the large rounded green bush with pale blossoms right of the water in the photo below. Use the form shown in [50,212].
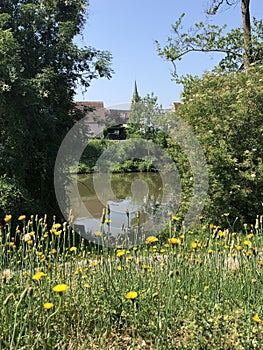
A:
[225,113]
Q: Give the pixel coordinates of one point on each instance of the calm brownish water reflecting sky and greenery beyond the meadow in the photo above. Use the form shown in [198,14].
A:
[130,202]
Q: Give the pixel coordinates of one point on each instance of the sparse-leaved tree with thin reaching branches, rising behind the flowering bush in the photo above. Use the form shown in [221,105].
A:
[241,47]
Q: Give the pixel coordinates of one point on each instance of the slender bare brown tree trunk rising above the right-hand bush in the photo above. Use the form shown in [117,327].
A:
[247,33]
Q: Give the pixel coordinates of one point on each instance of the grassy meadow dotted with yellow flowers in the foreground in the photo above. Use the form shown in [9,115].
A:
[202,290]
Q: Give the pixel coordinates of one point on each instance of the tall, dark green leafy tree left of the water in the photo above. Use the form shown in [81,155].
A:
[40,66]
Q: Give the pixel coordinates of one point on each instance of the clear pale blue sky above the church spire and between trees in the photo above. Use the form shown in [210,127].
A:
[128,29]
